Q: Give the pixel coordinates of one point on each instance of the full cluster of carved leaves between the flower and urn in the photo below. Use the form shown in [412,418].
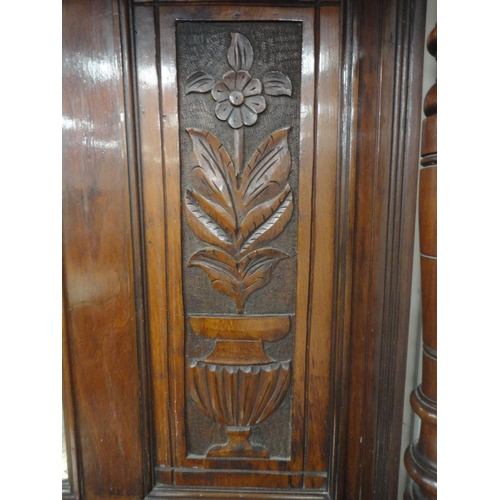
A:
[239,215]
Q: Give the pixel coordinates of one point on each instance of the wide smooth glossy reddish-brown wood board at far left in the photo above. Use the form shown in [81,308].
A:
[97,250]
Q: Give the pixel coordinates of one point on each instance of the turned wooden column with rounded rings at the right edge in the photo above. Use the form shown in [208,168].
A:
[421,456]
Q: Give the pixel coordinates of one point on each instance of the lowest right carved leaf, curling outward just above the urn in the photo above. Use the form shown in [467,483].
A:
[258,267]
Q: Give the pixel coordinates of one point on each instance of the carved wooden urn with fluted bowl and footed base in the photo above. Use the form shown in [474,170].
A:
[237,385]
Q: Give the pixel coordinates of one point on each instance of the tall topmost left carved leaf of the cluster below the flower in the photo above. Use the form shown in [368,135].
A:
[214,176]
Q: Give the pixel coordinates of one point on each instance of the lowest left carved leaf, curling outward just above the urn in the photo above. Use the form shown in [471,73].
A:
[221,270]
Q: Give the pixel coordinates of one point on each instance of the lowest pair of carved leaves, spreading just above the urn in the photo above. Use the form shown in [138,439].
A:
[238,279]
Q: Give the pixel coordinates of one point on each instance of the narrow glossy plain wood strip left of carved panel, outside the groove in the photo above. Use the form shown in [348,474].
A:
[154,222]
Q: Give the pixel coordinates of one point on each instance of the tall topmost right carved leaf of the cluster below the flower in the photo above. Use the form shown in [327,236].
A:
[267,172]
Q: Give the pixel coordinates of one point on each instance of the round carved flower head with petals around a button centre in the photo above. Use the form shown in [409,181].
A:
[238,98]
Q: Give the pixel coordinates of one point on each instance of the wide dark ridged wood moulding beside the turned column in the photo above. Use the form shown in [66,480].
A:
[385,166]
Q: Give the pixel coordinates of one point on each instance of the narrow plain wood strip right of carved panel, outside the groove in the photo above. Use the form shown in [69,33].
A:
[318,401]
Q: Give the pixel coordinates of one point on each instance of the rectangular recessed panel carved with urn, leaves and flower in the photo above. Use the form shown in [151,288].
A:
[237,205]
